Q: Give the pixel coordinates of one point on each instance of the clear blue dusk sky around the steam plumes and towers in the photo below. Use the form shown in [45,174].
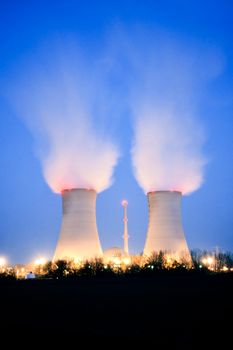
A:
[30,212]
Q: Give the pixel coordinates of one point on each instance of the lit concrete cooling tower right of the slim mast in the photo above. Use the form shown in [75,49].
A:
[165,231]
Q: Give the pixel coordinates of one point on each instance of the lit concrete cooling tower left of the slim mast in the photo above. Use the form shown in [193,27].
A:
[79,237]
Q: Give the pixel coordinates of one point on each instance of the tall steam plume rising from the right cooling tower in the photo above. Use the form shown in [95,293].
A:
[167,152]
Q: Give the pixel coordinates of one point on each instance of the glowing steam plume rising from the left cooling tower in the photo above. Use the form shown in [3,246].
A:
[57,95]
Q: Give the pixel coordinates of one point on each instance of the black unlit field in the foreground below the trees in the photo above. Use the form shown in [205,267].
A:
[168,309]
